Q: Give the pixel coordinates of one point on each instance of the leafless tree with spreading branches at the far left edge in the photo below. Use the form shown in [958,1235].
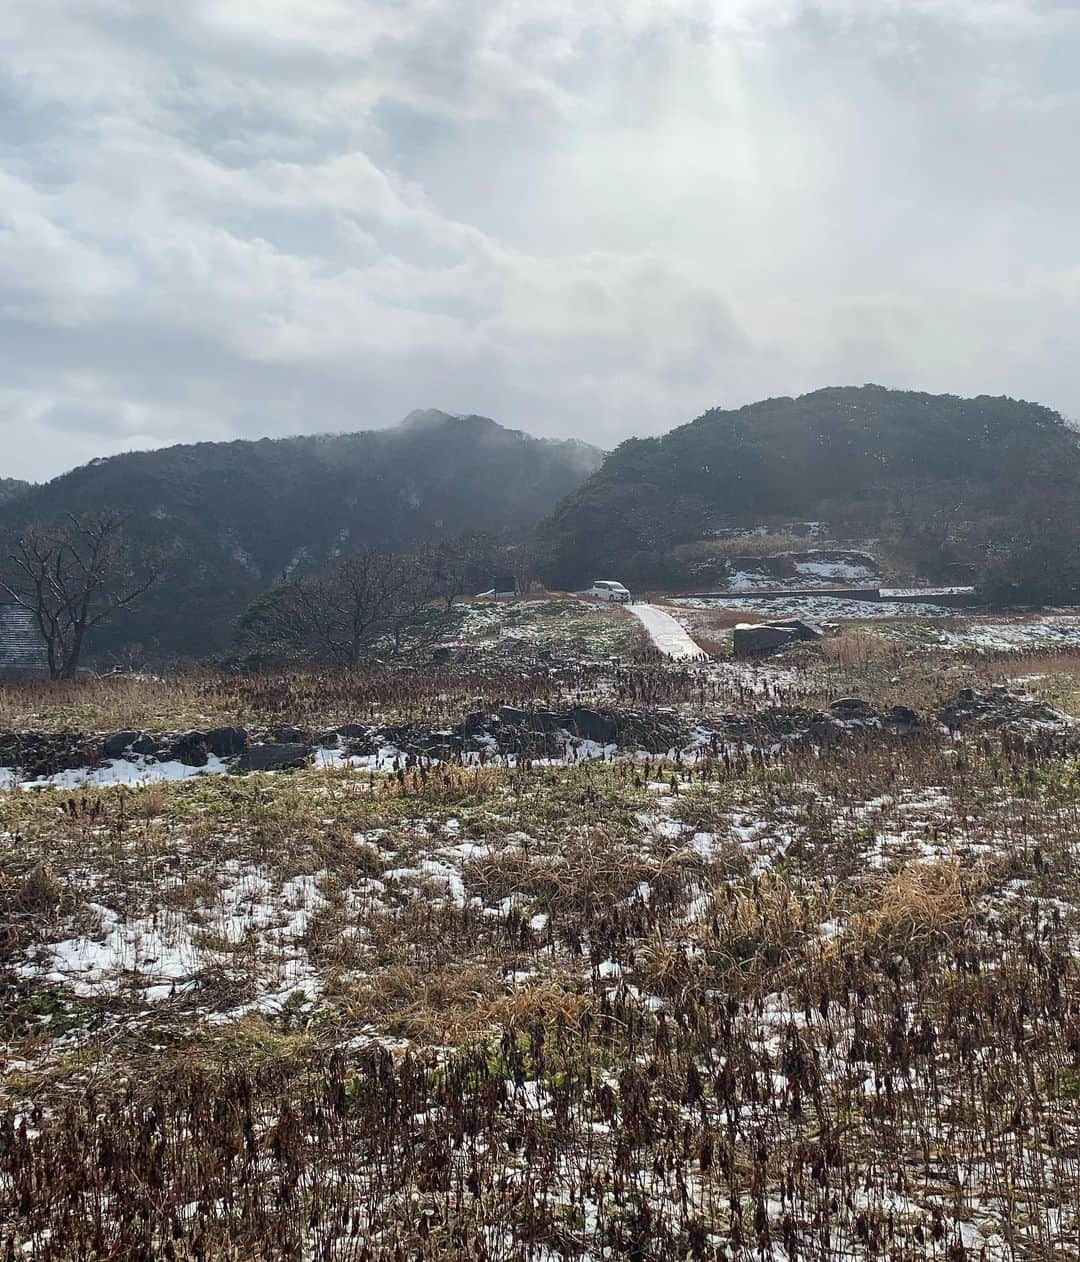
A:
[74,577]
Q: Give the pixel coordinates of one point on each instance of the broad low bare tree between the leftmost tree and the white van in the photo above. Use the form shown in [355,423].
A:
[369,603]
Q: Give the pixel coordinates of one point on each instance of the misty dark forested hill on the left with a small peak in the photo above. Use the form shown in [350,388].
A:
[237,517]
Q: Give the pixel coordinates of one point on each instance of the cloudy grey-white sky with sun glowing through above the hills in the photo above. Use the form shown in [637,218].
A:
[243,218]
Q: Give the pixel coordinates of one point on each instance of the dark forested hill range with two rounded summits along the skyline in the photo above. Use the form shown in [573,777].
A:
[987,487]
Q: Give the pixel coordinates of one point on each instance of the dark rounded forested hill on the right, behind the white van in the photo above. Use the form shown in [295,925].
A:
[851,456]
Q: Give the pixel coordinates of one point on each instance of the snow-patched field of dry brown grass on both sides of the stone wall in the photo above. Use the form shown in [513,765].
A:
[780,1001]
